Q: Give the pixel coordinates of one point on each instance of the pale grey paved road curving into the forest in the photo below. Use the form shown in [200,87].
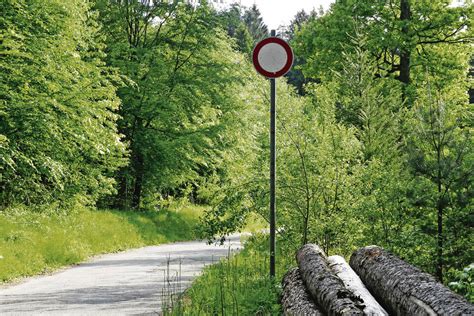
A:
[134,282]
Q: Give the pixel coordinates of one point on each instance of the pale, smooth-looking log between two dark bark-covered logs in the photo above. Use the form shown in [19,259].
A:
[353,283]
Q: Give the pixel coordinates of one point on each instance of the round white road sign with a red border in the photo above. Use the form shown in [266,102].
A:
[272,57]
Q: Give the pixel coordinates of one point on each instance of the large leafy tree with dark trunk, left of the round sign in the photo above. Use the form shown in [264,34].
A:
[175,113]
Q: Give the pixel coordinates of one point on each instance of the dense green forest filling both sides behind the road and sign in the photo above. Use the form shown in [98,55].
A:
[130,104]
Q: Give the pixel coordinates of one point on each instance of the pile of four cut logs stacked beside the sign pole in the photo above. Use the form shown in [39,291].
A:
[330,286]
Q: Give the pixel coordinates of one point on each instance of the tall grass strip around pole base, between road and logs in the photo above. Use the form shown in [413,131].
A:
[239,285]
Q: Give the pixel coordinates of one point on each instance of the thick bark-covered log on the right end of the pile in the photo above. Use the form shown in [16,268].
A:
[404,289]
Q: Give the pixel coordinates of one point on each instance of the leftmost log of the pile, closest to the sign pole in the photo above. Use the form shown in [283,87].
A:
[295,298]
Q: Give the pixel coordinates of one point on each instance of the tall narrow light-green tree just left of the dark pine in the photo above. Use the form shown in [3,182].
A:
[372,105]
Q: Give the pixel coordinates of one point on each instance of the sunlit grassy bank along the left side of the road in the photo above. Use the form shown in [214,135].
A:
[32,243]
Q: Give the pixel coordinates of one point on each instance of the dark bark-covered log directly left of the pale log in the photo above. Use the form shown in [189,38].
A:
[326,288]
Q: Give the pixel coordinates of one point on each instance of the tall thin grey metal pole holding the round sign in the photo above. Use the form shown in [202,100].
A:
[272,172]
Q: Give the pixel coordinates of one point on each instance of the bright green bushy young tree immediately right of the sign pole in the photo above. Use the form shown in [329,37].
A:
[316,158]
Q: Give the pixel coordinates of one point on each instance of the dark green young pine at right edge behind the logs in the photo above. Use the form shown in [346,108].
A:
[441,159]
